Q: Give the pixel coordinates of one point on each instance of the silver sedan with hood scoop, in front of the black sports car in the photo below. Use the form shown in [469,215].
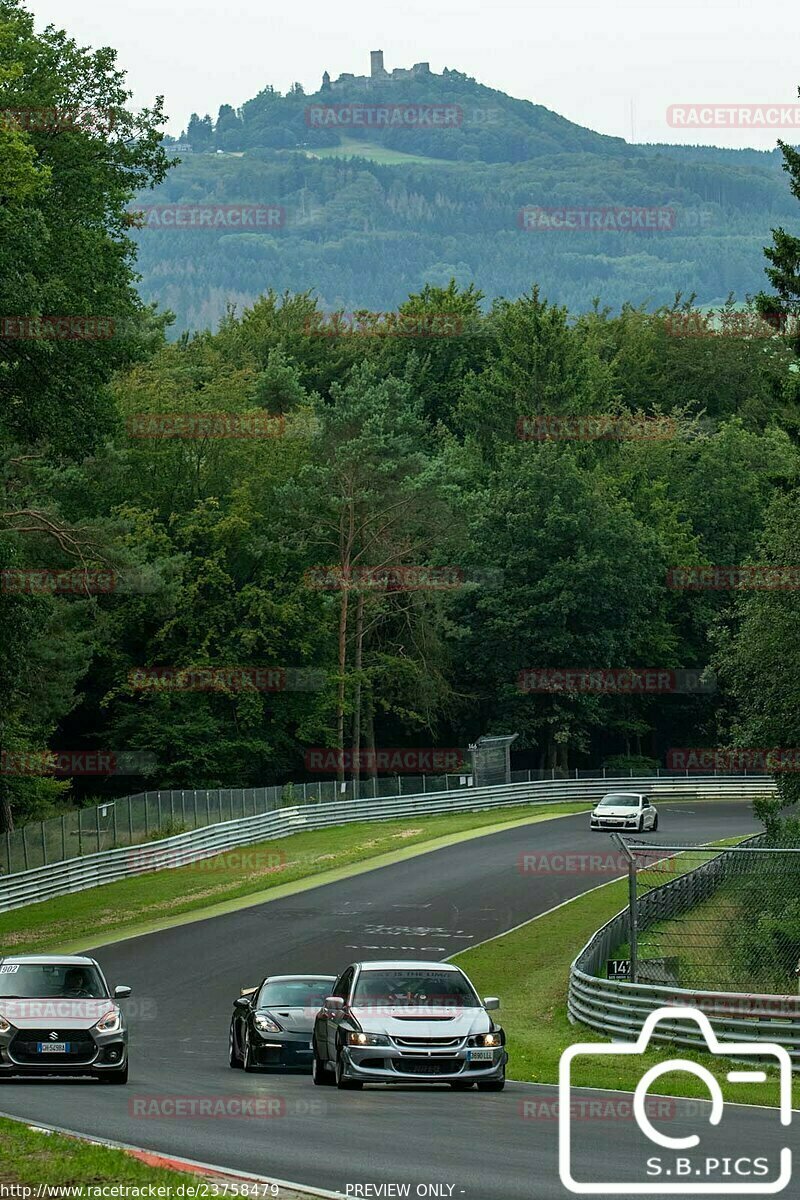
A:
[408,1023]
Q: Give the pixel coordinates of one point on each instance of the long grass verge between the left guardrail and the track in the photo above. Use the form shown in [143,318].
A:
[243,878]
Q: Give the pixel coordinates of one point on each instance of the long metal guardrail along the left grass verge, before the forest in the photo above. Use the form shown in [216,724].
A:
[93,871]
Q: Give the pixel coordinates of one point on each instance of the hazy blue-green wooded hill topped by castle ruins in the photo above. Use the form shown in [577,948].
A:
[378,207]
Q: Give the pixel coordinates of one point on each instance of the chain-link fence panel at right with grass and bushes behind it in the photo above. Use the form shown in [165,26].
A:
[715,919]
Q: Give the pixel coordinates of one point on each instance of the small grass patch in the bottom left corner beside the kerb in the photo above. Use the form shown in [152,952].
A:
[31,1156]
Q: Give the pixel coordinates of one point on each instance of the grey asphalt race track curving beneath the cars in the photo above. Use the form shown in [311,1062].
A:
[484,1147]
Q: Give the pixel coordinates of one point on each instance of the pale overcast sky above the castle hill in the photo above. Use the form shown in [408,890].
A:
[613,68]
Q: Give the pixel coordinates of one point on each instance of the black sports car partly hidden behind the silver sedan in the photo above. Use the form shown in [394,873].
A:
[272,1025]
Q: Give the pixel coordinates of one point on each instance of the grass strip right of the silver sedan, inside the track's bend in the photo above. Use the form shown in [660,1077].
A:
[530,970]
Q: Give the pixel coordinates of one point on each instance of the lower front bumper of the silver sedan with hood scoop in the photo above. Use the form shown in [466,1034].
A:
[388,1065]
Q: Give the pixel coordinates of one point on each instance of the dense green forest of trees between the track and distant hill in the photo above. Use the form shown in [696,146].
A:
[388,446]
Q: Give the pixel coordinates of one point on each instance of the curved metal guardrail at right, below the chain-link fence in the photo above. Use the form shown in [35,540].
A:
[619,1009]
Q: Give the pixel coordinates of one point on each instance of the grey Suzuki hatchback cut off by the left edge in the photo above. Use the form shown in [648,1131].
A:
[58,1017]
